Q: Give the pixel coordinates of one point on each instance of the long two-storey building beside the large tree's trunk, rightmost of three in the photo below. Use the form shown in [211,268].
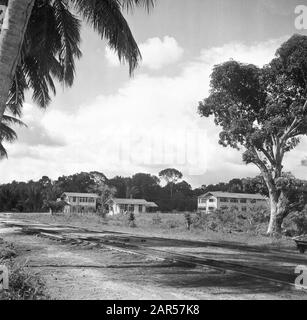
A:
[212,201]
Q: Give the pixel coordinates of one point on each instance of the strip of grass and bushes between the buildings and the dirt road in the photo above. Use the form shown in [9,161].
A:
[228,228]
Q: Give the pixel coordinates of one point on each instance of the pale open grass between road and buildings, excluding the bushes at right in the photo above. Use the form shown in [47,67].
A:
[170,226]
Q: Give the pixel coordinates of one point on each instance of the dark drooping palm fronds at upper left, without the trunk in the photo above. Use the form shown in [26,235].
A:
[51,46]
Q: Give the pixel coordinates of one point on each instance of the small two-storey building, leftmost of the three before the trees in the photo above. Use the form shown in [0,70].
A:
[79,202]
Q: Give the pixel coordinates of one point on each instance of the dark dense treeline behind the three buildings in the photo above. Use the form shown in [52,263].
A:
[175,195]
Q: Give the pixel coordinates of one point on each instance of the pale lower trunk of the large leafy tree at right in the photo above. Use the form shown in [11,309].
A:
[279,211]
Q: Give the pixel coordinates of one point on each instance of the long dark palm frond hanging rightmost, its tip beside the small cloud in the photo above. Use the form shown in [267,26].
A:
[106,18]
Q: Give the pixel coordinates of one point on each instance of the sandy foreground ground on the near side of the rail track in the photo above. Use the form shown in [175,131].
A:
[76,272]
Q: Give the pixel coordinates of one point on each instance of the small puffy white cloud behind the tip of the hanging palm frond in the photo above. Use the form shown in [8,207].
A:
[156,53]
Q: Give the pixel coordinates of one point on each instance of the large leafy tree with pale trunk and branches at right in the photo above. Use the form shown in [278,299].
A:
[264,112]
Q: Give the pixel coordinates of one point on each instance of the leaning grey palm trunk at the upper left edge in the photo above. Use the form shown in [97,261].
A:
[11,39]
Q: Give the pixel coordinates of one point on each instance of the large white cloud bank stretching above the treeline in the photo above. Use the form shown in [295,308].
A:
[150,123]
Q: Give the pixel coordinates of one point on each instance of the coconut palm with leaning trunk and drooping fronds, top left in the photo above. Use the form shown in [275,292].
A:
[40,39]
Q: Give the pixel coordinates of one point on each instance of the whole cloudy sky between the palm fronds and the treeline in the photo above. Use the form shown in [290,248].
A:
[118,125]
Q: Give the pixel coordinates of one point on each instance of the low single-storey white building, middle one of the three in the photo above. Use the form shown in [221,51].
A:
[117,206]
